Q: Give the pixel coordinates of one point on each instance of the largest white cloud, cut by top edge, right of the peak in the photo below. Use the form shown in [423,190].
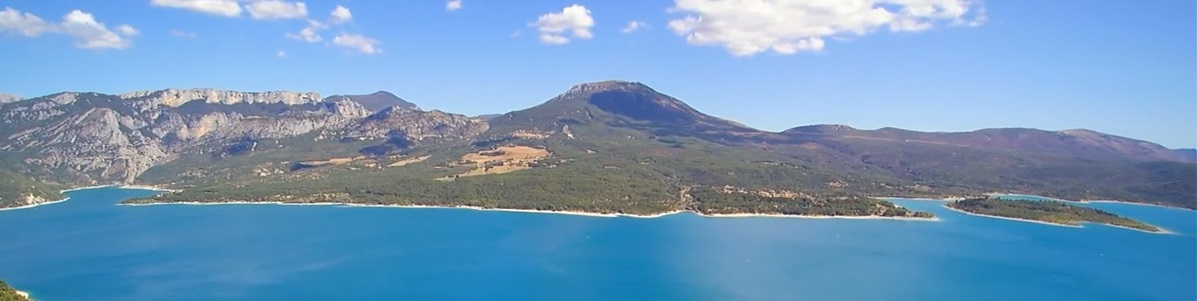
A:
[786,27]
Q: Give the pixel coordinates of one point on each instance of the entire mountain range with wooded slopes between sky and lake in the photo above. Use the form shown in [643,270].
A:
[607,147]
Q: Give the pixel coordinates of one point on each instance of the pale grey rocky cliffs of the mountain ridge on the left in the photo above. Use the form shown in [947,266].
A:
[95,139]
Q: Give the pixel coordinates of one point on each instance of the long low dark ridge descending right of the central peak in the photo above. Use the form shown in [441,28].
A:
[1080,143]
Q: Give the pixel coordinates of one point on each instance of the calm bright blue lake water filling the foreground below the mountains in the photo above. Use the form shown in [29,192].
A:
[87,249]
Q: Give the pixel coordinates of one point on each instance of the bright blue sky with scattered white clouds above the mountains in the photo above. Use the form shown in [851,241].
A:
[1126,68]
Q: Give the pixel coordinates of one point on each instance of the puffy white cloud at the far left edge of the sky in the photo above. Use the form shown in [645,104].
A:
[82,27]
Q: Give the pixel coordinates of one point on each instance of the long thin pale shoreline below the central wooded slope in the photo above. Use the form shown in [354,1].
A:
[542,212]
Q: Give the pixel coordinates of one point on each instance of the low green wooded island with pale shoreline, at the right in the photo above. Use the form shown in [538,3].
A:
[1047,212]
